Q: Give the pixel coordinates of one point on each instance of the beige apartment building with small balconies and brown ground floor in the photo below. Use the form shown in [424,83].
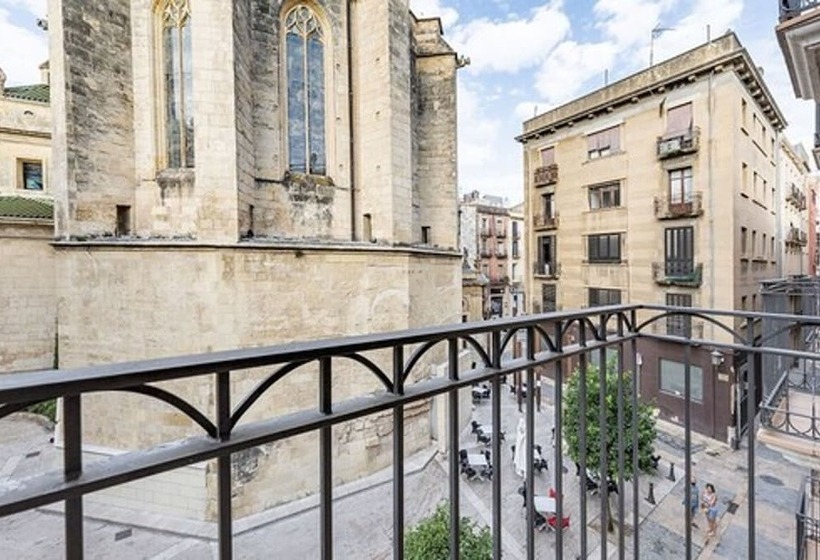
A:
[663,188]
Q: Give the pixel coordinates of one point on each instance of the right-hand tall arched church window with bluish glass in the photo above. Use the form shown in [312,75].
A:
[304,47]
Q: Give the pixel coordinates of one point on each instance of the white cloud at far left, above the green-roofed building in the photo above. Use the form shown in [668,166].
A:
[21,50]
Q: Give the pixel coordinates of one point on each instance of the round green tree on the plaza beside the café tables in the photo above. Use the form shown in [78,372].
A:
[572,411]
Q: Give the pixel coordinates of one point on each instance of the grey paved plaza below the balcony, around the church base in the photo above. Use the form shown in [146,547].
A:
[363,512]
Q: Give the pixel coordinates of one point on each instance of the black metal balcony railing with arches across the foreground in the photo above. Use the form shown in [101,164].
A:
[548,337]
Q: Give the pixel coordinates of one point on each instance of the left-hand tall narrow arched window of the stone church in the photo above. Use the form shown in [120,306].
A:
[174,24]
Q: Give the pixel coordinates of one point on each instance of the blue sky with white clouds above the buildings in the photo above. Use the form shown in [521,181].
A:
[527,56]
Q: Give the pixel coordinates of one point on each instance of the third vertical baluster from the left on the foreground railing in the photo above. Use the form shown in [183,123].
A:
[326,459]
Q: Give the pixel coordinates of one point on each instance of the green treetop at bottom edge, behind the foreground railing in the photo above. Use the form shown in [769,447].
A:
[430,539]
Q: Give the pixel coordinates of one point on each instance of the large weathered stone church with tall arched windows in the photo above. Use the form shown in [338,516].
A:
[239,174]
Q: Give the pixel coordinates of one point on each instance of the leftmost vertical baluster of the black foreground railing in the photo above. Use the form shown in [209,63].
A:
[72,469]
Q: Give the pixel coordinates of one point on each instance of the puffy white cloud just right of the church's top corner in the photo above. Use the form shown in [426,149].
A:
[512,44]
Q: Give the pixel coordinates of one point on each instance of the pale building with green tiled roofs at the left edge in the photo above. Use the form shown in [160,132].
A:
[28,298]
